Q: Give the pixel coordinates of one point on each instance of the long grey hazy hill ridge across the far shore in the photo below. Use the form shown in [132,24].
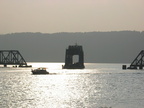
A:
[117,46]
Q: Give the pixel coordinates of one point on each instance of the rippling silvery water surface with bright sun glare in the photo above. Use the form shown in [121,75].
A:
[96,86]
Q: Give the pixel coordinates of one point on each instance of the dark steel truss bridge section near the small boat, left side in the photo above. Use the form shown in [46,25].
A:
[12,57]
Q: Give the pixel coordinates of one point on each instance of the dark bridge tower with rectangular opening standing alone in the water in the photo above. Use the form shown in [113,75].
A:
[70,52]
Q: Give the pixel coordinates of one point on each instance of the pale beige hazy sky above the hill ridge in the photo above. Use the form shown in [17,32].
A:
[51,16]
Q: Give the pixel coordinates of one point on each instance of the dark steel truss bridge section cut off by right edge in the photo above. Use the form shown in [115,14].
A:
[138,61]
